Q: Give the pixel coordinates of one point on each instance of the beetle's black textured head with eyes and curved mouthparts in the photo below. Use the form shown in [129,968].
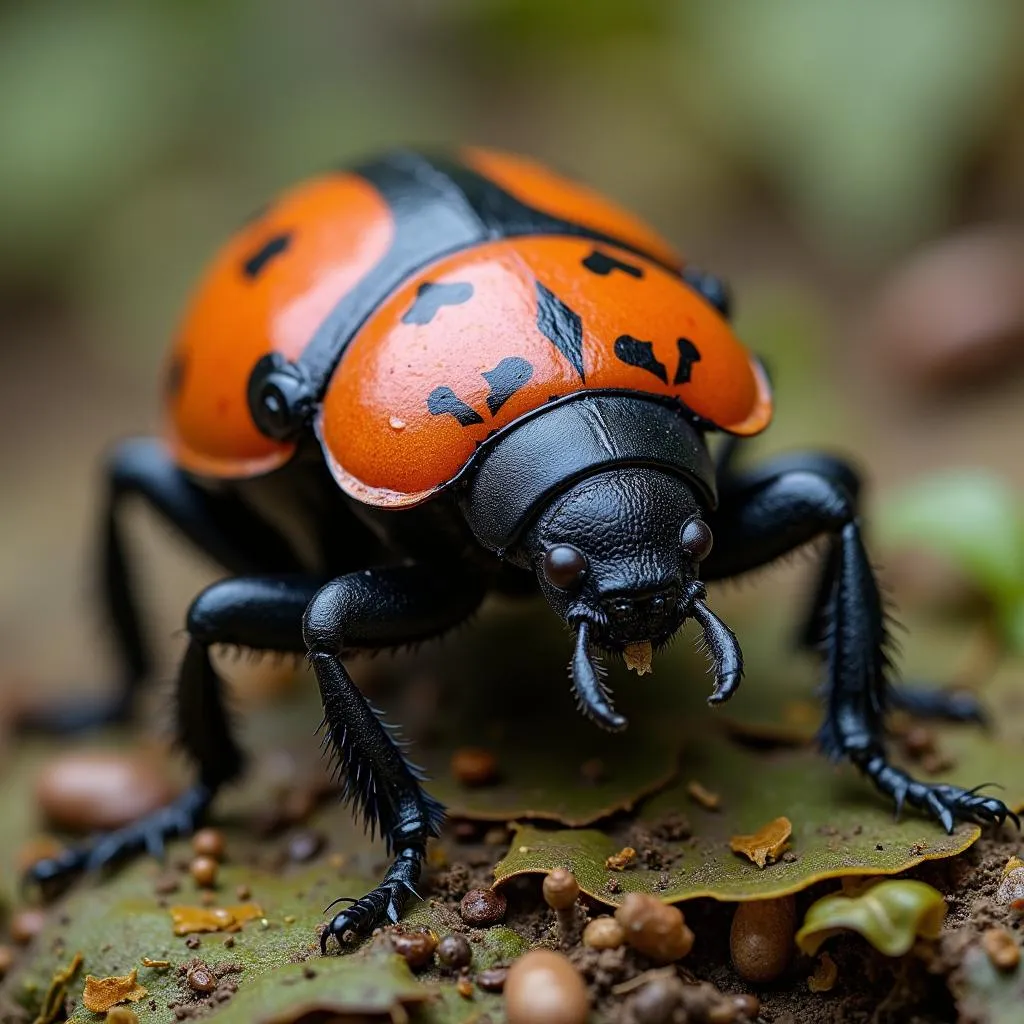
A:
[618,557]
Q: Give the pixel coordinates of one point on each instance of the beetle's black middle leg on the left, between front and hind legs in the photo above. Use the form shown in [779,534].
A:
[265,614]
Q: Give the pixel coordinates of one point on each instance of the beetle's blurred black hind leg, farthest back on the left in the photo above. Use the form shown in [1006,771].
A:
[219,525]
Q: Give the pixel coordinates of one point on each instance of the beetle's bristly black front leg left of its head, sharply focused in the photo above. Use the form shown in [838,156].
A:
[381,609]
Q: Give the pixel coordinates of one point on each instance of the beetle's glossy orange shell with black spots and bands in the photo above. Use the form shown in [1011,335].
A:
[423,305]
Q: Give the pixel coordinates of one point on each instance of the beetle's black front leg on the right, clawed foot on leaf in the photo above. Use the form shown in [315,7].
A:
[775,510]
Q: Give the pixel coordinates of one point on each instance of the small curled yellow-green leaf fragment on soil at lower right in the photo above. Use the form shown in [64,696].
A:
[891,916]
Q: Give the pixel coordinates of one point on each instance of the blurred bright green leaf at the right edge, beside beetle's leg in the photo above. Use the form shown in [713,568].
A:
[971,518]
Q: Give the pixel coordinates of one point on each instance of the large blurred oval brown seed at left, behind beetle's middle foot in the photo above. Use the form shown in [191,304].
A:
[99,791]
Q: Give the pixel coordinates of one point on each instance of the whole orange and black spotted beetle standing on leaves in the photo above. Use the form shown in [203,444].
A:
[424,378]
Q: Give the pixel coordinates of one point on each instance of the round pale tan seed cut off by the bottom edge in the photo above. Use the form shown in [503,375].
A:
[544,988]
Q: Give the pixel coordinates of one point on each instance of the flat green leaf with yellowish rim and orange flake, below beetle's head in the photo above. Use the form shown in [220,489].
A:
[840,828]
